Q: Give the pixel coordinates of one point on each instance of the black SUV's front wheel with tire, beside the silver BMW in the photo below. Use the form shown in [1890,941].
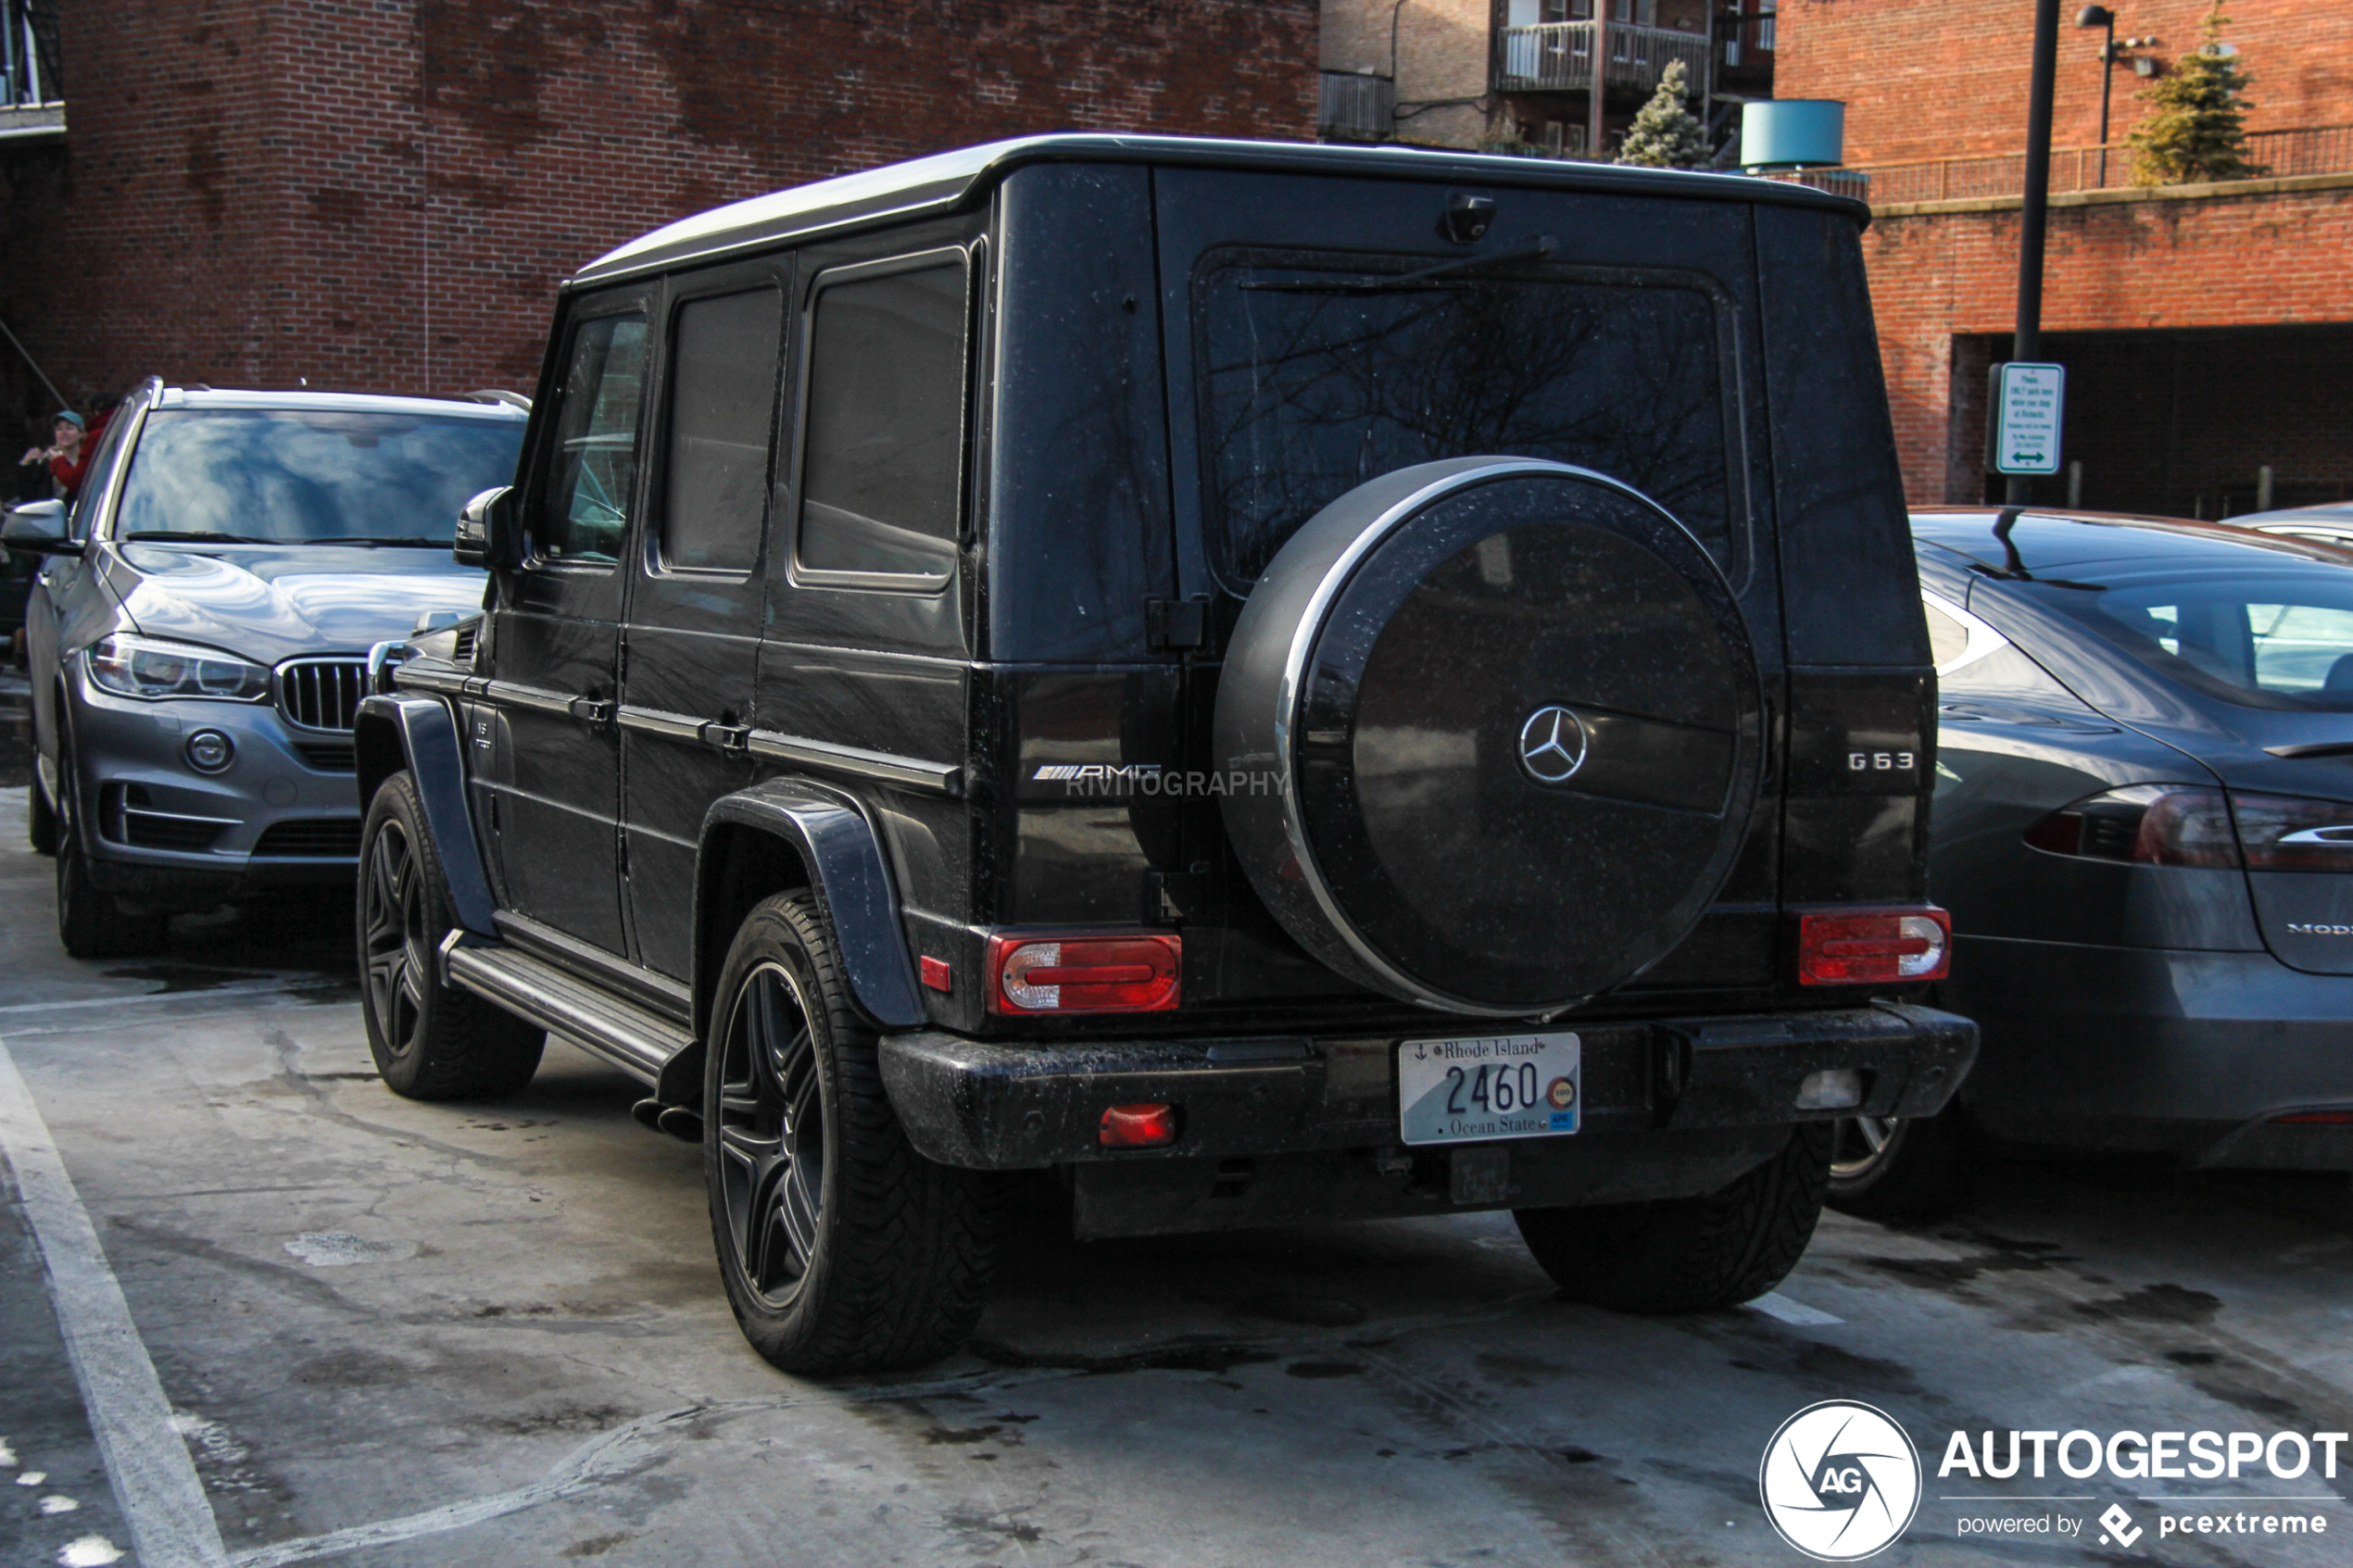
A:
[432,1043]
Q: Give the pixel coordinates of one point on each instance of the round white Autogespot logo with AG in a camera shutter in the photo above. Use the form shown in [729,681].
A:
[1841,1482]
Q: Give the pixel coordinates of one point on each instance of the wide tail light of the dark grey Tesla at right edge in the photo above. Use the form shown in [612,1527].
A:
[2189,826]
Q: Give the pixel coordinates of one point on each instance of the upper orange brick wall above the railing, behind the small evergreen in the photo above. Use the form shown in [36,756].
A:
[1947,79]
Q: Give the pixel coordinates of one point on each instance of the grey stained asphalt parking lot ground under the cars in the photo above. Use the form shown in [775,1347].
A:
[394,1334]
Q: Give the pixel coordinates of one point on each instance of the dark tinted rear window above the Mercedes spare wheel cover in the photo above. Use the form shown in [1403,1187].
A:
[1319,373]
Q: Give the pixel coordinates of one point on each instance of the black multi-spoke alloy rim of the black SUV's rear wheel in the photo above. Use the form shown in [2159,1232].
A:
[771,1137]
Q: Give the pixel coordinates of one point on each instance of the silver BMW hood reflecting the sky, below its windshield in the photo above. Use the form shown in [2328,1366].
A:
[274,603]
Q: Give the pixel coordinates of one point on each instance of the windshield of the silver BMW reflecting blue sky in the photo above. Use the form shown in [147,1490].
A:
[309,476]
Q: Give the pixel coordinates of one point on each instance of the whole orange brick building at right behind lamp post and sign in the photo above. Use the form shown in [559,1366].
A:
[2208,330]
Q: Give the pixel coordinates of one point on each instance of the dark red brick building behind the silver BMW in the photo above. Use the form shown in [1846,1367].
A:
[380,194]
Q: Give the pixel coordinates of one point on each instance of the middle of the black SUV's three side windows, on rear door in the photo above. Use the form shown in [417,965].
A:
[724,406]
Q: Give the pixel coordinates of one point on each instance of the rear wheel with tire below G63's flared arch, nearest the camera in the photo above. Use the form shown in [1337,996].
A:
[841,1247]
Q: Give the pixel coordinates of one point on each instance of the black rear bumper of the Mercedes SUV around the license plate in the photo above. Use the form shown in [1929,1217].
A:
[996,1106]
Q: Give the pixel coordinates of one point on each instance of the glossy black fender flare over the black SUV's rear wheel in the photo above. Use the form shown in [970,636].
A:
[853,880]
